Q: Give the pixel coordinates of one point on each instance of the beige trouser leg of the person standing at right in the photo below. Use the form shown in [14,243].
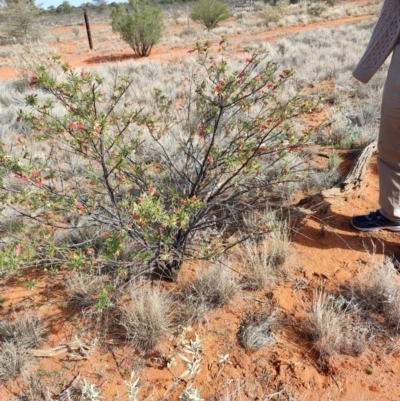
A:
[389,142]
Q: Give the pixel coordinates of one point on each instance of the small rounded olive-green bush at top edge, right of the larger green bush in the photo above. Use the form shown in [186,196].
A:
[210,13]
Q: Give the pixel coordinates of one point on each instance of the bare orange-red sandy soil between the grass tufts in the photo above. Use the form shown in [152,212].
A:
[326,251]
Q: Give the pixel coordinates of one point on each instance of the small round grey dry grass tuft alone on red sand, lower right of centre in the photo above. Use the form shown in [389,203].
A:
[255,331]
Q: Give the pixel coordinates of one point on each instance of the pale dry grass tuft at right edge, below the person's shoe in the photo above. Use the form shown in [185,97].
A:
[378,290]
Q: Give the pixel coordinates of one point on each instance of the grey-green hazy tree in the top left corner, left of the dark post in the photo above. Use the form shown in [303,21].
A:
[19,19]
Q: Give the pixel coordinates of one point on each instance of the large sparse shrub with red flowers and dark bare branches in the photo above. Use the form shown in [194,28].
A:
[155,178]
